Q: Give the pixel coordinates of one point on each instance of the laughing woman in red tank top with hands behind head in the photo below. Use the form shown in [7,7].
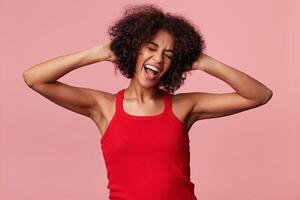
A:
[145,127]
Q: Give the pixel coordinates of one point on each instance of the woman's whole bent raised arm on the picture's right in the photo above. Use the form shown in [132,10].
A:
[250,93]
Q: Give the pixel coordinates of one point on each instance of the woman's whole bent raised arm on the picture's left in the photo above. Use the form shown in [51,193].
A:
[43,79]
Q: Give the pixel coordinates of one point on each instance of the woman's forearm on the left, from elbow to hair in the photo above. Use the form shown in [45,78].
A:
[51,70]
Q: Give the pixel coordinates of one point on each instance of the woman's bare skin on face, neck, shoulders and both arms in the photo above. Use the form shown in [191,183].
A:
[142,97]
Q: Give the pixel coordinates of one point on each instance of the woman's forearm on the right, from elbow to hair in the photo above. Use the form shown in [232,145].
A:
[242,83]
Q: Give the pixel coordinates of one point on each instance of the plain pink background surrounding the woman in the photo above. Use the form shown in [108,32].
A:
[48,152]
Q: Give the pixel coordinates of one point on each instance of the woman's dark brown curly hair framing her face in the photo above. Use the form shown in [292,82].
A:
[137,27]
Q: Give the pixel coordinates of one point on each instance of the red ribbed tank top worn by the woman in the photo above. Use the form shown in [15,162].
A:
[147,157]
